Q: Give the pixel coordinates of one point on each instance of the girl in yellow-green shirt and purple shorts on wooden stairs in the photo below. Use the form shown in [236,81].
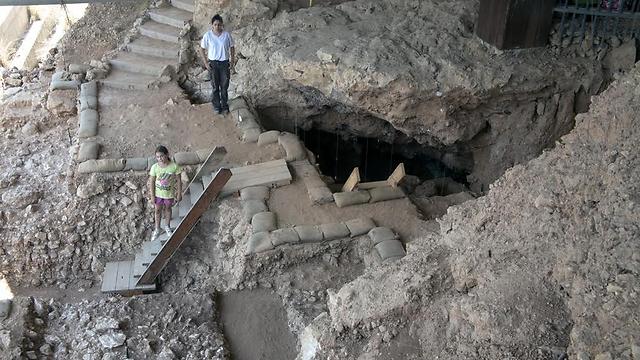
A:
[164,178]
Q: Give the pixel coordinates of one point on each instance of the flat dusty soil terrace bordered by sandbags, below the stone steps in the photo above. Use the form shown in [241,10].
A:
[133,123]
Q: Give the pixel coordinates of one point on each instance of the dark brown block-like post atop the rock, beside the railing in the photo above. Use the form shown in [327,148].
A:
[511,24]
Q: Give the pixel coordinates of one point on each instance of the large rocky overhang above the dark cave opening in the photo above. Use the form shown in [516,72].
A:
[418,66]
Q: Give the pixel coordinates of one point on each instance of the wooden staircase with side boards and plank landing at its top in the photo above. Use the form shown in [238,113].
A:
[138,276]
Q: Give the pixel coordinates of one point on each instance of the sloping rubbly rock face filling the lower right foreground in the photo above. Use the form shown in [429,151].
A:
[544,266]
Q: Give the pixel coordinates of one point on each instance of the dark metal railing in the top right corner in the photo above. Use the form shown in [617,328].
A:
[602,18]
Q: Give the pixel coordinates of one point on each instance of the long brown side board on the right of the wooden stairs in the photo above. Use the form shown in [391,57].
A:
[188,223]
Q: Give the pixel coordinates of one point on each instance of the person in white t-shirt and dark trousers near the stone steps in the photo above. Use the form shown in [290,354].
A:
[219,59]
